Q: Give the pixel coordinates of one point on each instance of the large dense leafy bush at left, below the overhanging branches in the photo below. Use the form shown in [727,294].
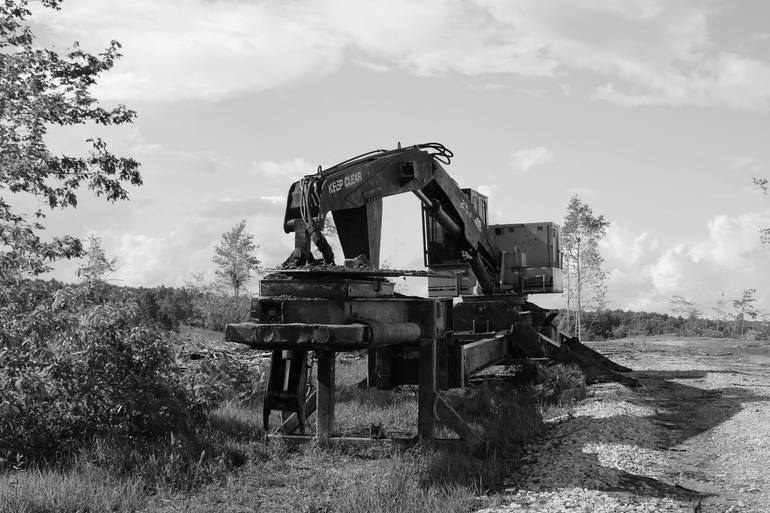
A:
[72,368]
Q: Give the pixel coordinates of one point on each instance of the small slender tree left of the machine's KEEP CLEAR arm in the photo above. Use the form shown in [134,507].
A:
[235,257]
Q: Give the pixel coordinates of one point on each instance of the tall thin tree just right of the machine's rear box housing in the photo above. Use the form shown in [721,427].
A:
[581,234]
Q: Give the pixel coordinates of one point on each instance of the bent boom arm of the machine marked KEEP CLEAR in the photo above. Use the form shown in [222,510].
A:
[353,190]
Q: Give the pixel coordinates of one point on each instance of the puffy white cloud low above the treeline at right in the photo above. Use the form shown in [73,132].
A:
[643,272]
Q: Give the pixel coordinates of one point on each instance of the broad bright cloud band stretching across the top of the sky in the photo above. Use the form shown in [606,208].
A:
[641,52]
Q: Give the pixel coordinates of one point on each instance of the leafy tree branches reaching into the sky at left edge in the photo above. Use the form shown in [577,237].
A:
[40,87]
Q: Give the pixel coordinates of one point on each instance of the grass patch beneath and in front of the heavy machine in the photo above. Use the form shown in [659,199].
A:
[225,464]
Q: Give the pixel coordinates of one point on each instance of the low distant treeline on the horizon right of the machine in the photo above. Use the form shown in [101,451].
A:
[609,324]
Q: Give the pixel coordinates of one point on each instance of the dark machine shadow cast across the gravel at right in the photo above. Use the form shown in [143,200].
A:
[680,411]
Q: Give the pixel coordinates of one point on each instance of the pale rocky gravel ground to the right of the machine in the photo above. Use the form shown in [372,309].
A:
[695,436]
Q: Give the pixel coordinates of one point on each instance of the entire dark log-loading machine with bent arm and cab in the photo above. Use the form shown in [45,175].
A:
[477,313]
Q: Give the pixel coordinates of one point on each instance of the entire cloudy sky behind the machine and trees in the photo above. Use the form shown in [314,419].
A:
[655,112]
